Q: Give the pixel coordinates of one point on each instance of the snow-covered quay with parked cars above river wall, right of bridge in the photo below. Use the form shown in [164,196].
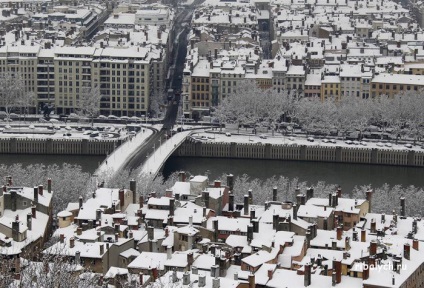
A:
[215,136]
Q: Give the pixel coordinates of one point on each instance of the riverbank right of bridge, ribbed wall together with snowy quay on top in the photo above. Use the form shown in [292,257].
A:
[300,149]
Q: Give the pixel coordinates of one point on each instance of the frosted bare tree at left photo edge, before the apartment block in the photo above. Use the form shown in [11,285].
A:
[11,90]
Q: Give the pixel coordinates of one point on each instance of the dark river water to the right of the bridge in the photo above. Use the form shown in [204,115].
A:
[346,175]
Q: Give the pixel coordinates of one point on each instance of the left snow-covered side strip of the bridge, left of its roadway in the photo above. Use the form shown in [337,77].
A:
[117,158]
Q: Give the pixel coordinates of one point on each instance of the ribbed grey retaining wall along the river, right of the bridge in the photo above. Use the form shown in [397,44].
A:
[192,148]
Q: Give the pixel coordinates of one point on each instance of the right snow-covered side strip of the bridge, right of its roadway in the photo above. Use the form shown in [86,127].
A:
[160,154]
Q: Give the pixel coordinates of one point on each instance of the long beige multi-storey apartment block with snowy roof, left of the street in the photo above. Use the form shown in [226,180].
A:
[59,74]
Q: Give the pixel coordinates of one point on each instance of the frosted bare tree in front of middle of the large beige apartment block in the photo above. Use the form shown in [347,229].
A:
[88,104]
